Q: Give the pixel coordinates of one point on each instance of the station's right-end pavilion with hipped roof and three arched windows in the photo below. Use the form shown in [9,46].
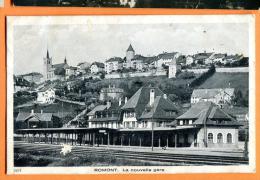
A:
[206,125]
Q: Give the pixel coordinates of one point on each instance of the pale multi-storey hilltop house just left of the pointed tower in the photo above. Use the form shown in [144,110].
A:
[113,64]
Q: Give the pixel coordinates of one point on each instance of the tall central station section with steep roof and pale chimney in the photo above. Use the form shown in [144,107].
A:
[148,106]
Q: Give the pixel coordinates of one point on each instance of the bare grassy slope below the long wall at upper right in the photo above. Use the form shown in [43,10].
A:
[239,81]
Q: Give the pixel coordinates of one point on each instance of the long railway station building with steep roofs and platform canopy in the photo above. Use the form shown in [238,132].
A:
[148,119]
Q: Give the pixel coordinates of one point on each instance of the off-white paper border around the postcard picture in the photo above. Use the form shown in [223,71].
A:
[69,20]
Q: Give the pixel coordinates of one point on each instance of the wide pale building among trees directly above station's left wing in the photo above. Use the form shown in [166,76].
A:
[111,93]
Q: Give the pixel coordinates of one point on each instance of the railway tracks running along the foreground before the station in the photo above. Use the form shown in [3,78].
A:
[166,158]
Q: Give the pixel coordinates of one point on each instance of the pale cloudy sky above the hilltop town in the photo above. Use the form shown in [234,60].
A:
[99,42]
